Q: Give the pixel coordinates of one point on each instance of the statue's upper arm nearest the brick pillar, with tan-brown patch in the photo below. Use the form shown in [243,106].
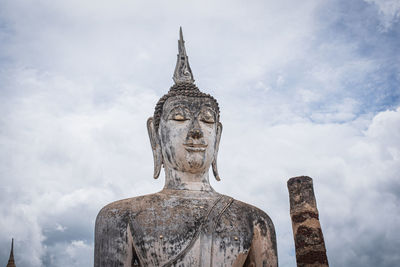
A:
[263,250]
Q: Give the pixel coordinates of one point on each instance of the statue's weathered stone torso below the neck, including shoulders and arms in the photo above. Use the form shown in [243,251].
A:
[157,227]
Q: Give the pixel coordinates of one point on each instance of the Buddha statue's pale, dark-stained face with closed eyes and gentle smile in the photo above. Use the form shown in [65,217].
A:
[188,133]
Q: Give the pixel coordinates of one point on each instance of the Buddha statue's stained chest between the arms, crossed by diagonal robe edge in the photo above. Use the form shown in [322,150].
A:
[191,233]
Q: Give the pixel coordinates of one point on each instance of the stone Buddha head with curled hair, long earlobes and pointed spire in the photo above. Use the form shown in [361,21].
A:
[185,130]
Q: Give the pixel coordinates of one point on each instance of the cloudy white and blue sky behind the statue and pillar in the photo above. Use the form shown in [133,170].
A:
[305,88]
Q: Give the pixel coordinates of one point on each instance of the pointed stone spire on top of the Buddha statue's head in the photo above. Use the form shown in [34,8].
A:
[182,73]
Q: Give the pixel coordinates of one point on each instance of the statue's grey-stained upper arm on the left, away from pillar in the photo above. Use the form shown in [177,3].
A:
[111,242]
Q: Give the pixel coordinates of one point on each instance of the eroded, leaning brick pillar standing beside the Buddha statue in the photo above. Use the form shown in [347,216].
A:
[308,238]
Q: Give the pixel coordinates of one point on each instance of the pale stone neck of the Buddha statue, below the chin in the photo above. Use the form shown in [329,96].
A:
[178,180]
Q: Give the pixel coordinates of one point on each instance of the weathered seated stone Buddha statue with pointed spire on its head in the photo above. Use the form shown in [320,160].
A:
[187,223]
